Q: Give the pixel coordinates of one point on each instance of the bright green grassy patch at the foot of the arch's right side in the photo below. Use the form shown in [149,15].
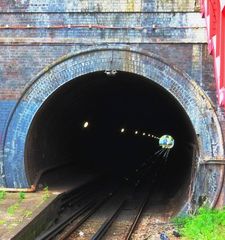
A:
[206,224]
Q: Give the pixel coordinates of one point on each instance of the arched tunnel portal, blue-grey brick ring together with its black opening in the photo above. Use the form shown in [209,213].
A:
[113,89]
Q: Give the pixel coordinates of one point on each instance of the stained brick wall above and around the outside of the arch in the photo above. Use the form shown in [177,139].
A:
[35,33]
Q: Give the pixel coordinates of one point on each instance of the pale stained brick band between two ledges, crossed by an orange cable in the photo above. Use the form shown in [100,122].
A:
[96,28]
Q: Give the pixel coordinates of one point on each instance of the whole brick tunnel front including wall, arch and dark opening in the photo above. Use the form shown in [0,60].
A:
[54,80]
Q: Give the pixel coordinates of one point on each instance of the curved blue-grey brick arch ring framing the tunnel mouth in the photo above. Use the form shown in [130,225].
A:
[206,179]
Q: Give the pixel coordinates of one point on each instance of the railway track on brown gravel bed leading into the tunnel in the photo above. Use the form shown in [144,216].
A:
[100,215]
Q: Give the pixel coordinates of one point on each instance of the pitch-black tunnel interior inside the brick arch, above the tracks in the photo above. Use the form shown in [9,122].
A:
[57,137]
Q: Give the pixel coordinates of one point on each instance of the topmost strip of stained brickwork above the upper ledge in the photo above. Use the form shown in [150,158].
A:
[98,6]
